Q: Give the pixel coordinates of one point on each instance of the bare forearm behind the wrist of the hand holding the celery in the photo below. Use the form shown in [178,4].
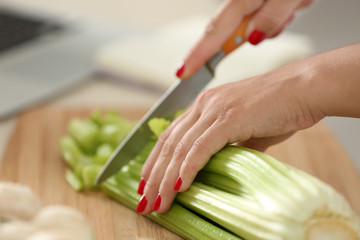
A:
[334,86]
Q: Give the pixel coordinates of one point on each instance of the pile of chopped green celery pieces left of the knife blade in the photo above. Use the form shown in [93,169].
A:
[89,144]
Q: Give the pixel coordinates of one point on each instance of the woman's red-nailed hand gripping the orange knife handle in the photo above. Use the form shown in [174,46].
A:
[269,19]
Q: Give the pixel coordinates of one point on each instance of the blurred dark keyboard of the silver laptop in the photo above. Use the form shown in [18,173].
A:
[16,29]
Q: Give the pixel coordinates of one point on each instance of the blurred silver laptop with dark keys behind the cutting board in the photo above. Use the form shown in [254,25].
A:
[42,55]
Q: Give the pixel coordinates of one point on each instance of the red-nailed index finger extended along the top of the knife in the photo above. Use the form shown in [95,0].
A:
[217,31]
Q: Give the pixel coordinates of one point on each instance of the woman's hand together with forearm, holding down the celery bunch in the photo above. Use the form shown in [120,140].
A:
[256,112]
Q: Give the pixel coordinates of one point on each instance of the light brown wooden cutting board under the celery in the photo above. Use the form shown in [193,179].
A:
[33,158]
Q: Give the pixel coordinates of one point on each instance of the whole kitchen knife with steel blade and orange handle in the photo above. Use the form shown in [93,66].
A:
[177,97]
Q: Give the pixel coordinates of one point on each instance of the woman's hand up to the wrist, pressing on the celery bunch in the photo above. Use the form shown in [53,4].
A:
[255,112]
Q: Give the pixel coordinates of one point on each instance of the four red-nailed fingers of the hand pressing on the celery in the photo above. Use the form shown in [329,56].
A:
[185,150]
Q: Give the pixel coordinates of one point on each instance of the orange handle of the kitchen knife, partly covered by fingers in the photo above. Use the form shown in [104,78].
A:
[237,38]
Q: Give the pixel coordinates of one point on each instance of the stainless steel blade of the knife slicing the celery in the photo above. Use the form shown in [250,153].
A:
[177,97]
